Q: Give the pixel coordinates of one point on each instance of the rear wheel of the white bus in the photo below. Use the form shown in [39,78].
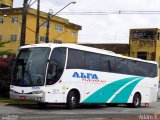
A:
[136,101]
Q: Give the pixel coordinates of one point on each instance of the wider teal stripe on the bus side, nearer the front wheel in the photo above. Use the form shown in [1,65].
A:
[103,95]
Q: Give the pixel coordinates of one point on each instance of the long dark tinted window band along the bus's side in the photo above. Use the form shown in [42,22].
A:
[93,61]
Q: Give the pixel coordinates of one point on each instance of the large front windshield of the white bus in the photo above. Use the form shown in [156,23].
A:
[30,67]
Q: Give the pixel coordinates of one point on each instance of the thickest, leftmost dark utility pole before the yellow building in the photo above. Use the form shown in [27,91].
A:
[23,28]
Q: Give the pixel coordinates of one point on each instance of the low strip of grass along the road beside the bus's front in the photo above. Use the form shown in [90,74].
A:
[11,101]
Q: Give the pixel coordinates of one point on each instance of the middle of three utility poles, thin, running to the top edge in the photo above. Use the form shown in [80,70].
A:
[37,26]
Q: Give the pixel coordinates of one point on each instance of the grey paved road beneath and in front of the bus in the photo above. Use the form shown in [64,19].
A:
[84,112]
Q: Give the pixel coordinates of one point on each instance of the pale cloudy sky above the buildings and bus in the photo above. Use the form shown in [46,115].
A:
[106,28]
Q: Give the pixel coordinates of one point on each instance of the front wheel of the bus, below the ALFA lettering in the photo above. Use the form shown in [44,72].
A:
[71,100]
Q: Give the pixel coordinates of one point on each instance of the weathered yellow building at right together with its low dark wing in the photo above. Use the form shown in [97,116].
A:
[143,44]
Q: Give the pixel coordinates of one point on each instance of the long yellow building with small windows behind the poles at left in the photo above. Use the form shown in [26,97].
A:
[60,29]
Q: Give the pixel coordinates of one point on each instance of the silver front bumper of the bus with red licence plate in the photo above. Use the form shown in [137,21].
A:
[31,97]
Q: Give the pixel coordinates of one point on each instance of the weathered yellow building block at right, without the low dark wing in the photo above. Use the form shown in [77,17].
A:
[145,44]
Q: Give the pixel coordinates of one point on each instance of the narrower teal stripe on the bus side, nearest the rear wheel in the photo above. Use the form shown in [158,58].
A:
[124,94]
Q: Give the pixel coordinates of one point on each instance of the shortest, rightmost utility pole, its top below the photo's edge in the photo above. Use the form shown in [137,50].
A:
[48,25]
